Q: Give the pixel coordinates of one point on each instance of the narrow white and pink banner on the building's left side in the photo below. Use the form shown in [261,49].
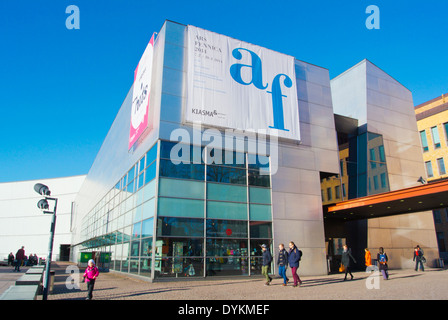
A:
[140,95]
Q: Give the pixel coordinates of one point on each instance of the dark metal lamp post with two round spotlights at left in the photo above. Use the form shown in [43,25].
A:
[43,205]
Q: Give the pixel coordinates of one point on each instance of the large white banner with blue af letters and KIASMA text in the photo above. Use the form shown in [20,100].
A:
[234,84]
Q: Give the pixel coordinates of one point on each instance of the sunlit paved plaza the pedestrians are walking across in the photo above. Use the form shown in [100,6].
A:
[402,285]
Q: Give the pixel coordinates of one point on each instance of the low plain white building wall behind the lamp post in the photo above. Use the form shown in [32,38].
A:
[22,223]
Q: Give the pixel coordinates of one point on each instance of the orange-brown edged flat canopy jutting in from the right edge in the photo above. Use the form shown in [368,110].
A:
[420,198]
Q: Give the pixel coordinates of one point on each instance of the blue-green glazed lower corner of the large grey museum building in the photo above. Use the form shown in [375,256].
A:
[205,216]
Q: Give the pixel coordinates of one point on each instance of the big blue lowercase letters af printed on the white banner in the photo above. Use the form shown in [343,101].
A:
[257,81]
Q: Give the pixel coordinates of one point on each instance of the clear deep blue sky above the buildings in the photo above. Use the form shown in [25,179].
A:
[60,89]
